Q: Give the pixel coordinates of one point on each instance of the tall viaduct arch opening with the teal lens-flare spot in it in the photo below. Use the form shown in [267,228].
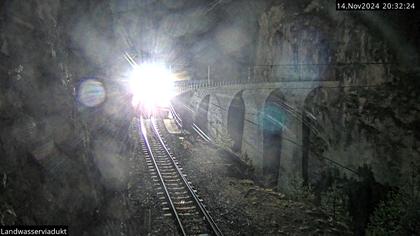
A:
[274,117]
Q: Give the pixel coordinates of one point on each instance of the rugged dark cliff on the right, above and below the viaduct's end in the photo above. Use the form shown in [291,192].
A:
[373,118]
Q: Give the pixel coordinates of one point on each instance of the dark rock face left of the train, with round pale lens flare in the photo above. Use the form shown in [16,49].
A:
[51,170]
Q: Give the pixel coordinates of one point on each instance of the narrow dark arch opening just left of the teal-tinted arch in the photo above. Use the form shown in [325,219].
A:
[236,116]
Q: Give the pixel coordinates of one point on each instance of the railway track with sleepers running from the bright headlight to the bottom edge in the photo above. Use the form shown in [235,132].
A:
[179,199]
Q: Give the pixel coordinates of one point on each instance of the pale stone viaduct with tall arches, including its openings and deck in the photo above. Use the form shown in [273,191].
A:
[259,121]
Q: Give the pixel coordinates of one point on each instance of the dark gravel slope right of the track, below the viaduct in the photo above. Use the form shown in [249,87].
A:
[238,205]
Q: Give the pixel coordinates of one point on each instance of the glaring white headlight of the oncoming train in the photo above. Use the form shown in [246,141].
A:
[151,85]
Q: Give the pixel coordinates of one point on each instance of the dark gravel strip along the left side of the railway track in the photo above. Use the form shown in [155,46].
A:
[136,209]
